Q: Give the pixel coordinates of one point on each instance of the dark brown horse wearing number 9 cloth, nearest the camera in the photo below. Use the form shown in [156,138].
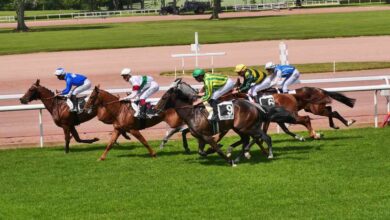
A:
[247,121]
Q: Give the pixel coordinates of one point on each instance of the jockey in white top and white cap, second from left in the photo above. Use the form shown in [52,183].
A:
[143,88]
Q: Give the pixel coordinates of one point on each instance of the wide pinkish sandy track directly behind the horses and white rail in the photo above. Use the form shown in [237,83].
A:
[18,72]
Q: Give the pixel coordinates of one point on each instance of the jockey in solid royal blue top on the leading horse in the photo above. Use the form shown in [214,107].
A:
[80,82]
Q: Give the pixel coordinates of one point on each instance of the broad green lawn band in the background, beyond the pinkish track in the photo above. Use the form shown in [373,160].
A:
[143,34]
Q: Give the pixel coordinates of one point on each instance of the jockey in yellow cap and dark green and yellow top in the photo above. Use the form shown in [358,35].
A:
[253,80]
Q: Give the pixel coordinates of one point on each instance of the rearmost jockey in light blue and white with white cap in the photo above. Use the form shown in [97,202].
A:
[289,72]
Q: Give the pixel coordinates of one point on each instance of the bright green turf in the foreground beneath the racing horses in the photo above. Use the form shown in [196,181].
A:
[346,175]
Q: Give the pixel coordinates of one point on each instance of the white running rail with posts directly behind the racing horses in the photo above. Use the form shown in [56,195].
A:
[384,88]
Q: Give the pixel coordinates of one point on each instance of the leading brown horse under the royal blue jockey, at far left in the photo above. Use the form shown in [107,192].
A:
[59,111]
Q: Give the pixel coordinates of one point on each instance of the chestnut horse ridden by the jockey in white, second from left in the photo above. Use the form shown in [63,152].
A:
[108,106]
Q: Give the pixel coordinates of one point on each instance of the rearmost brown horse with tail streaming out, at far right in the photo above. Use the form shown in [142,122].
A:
[314,100]
